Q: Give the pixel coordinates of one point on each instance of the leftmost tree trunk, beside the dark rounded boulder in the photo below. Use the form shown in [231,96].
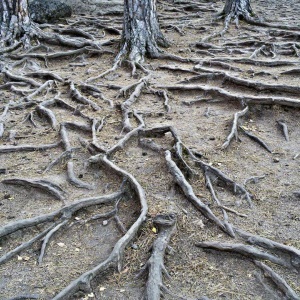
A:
[15,23]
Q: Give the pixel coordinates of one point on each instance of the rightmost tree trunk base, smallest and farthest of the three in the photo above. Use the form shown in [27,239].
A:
[235,9]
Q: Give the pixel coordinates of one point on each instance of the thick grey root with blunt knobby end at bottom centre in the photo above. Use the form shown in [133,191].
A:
[155,265]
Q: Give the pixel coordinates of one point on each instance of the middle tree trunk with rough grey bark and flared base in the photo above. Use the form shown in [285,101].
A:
[141,33]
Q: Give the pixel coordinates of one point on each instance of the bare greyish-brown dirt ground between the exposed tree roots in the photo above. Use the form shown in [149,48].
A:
[202,126]
